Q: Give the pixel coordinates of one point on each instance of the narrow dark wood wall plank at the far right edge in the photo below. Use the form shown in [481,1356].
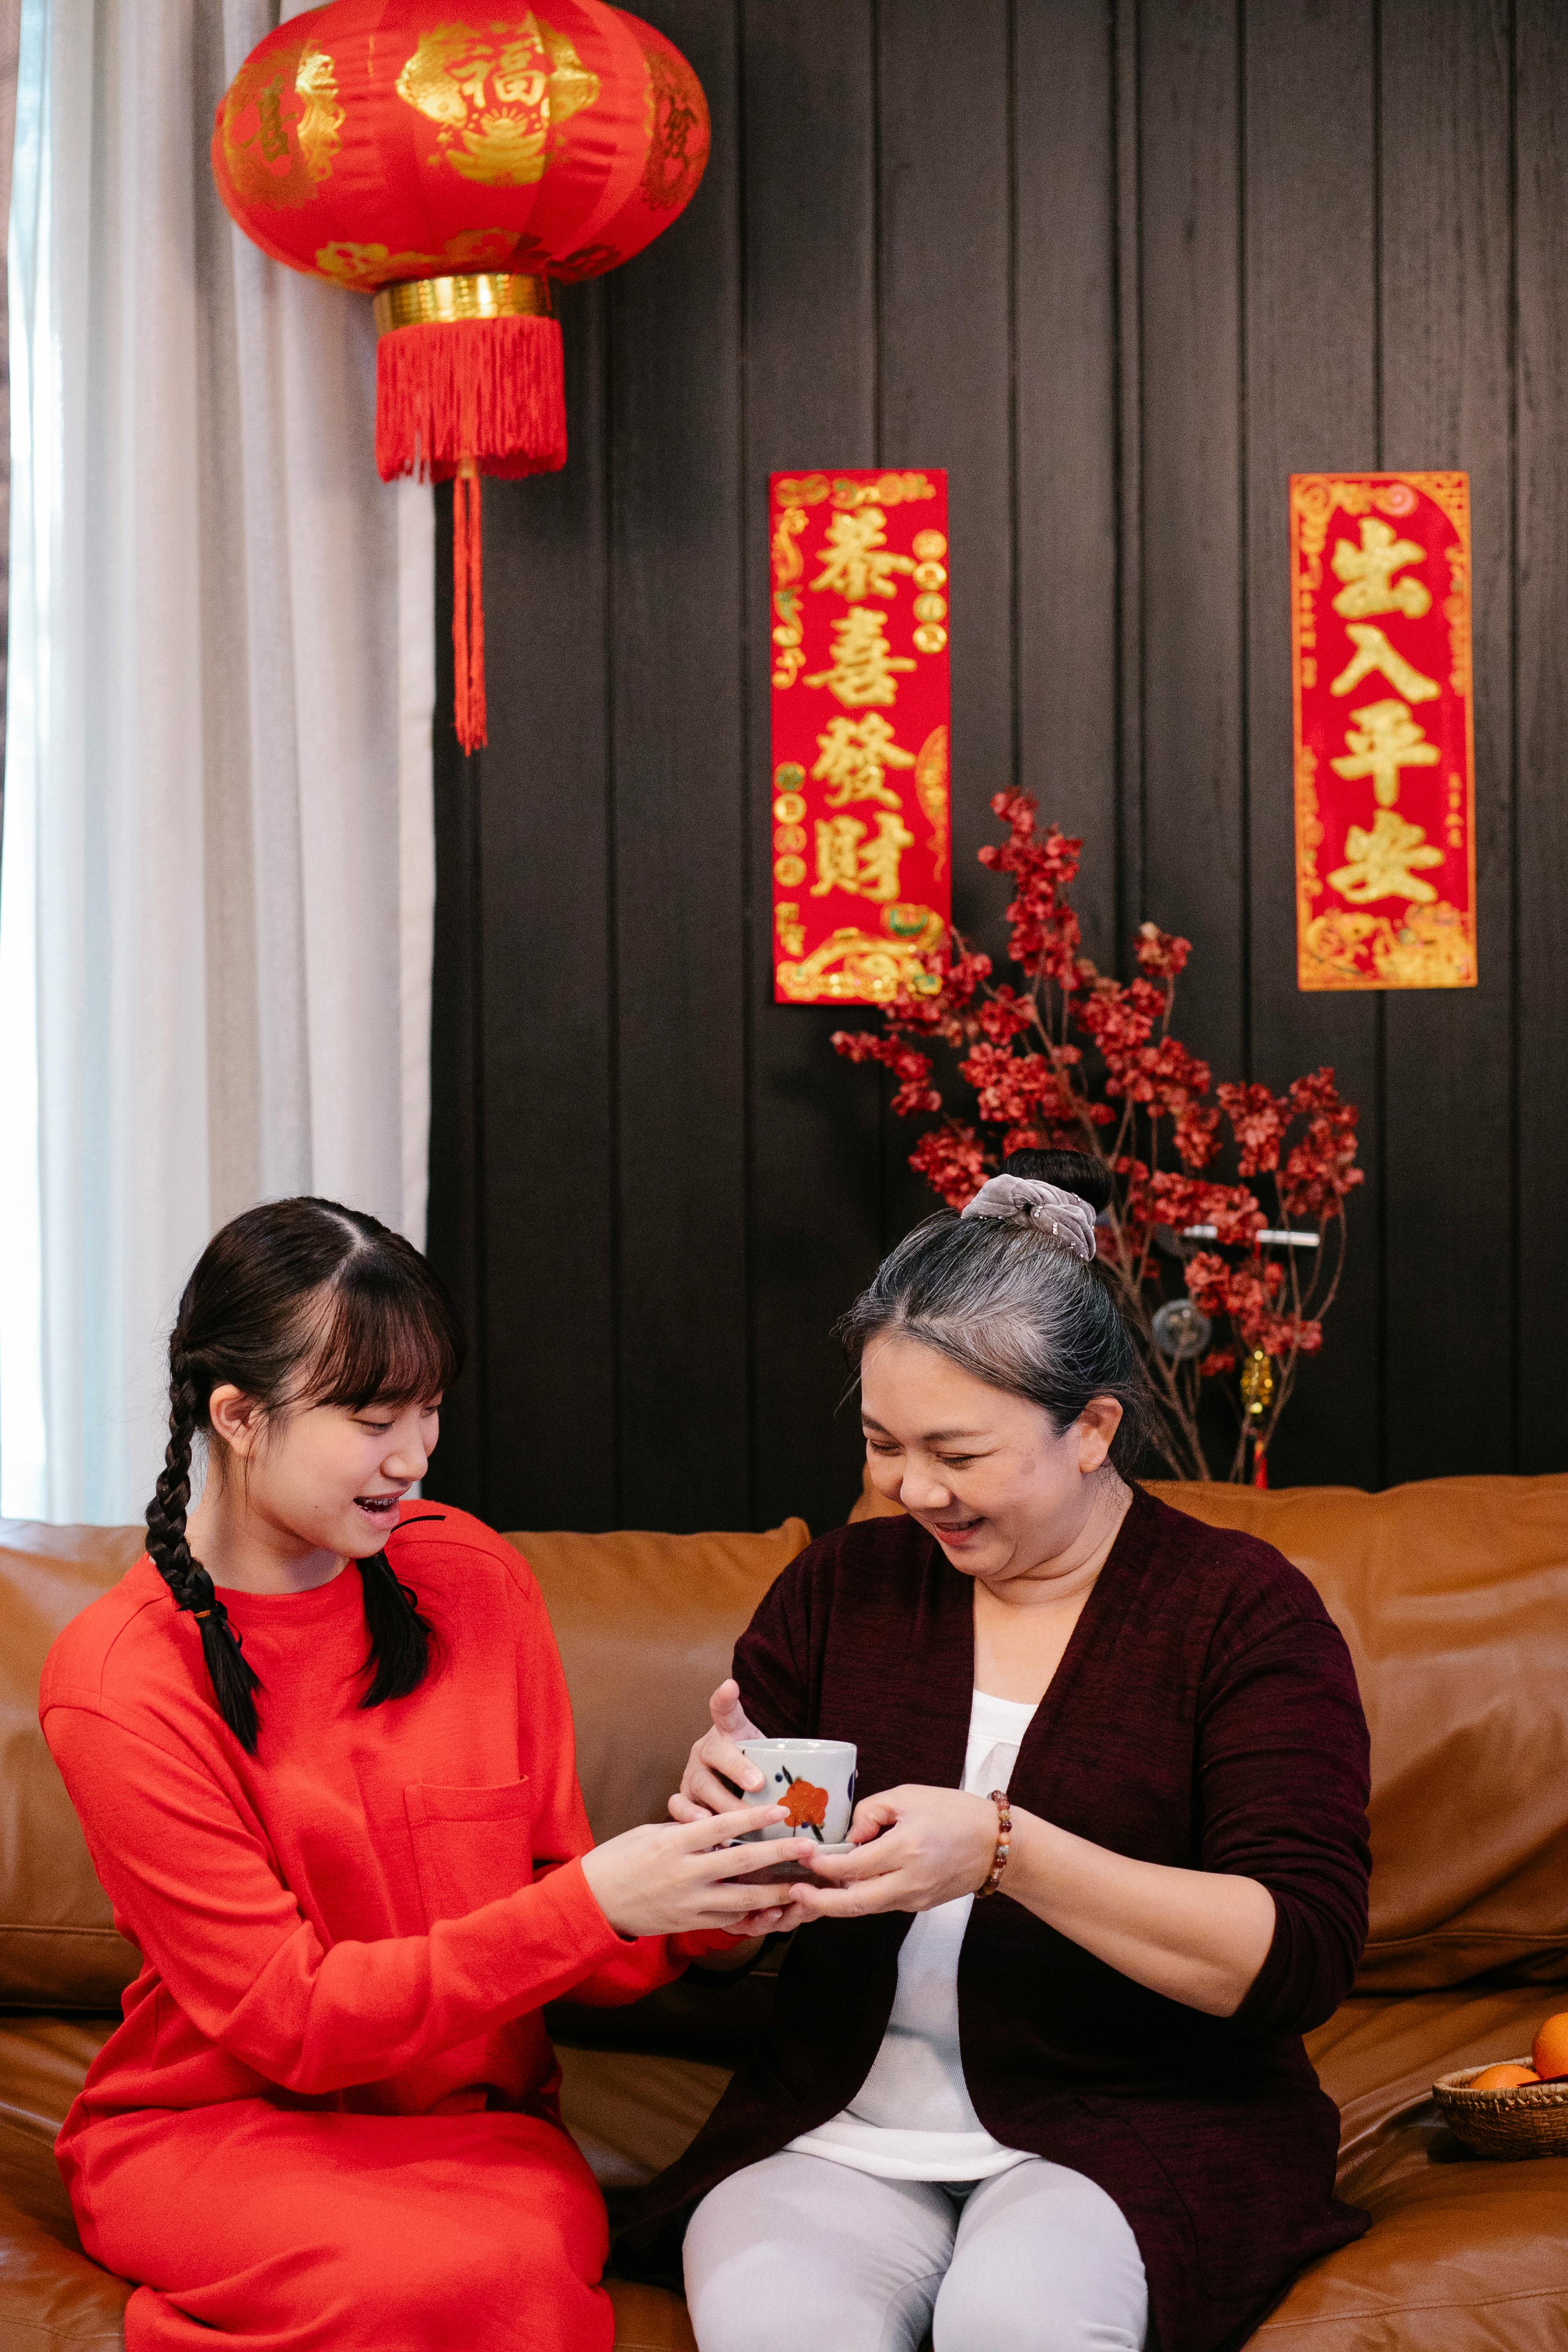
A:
[1541,881]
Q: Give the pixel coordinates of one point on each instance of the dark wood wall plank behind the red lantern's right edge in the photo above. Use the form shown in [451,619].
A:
[678,749]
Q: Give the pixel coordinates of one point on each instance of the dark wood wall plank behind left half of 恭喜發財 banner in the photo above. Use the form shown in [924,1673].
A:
[810,403]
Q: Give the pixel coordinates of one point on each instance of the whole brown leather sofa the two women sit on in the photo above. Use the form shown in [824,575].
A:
[1454,1598]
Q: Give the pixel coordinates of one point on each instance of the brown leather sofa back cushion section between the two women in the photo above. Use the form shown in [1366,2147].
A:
[648,1626]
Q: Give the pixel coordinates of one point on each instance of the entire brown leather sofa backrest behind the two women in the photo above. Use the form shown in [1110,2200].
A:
[1454,1598]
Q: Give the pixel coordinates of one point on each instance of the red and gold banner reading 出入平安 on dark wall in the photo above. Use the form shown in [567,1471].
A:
[1386,806]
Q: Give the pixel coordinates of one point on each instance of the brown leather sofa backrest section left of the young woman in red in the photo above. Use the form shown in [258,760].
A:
[58,1939]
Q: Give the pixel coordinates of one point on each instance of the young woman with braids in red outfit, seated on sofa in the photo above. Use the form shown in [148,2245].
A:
[323,1756]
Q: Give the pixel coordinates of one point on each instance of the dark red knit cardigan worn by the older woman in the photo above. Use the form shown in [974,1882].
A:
[1205,1716]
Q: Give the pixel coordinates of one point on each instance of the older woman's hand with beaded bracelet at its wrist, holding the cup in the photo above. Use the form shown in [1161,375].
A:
[918,1847]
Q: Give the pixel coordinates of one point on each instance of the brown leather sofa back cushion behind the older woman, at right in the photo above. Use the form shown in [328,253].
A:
[1454,1598]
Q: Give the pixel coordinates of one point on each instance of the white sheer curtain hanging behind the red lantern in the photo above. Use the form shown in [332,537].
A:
[217,862]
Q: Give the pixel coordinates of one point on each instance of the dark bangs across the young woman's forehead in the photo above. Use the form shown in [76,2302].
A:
[387,1335]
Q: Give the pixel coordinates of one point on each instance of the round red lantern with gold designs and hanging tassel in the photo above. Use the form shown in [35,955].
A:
[453,171]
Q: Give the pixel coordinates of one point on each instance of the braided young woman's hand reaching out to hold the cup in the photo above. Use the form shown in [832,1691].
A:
[666,1880]
